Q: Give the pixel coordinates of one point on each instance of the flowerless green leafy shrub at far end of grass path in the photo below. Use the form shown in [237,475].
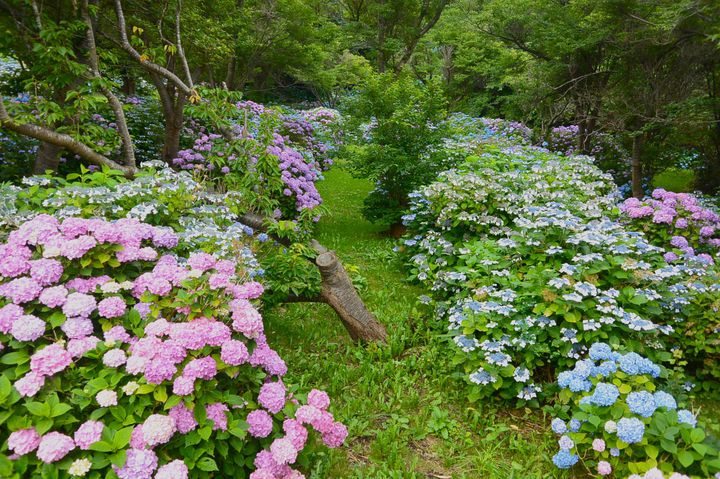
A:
[401,121]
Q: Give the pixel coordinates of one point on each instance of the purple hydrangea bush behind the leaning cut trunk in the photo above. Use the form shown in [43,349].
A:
[274,158]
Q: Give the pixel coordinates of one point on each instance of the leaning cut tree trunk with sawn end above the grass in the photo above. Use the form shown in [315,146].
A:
[337,290]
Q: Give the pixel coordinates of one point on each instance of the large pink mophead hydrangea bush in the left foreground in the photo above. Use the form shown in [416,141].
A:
[118,355]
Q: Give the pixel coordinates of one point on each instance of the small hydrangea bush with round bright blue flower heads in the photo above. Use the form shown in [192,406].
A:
[622,422]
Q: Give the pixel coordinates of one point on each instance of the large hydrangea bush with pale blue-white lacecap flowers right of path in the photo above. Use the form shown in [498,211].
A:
[529,267]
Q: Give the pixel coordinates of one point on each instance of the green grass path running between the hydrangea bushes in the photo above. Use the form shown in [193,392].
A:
[406,414]
